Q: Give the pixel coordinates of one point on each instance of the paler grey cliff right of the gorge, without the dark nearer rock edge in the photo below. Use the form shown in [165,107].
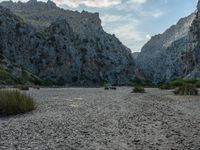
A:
[161,59]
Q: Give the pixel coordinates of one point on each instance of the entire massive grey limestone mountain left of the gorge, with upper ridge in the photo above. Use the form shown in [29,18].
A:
[71,49]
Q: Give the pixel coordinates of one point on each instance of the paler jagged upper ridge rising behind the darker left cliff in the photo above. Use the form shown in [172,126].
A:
[41,15]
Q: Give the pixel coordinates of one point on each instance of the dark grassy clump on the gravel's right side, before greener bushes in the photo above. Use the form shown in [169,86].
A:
[187,89]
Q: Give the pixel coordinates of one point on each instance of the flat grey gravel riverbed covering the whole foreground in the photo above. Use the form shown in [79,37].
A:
[95,119]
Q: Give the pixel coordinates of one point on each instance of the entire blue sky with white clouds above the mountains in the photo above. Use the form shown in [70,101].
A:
[134,21]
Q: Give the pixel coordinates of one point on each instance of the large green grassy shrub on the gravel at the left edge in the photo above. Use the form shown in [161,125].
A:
[14,102]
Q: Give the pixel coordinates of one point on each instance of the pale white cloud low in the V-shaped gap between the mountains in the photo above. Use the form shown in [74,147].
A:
[125,27]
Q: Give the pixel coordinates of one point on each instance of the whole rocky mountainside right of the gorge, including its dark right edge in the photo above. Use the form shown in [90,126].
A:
[175,53]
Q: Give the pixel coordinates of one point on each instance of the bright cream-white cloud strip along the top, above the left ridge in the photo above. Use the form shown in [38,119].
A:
[88,3]
